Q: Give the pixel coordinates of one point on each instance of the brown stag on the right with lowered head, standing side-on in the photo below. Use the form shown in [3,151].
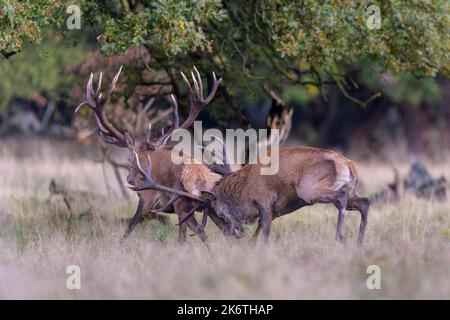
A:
[306,176]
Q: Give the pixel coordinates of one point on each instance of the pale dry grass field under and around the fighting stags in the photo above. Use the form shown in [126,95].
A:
[409,241]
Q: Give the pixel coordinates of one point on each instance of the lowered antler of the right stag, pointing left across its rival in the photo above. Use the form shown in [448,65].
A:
[150,184]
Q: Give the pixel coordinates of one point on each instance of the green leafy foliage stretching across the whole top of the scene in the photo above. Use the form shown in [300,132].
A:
[254,43]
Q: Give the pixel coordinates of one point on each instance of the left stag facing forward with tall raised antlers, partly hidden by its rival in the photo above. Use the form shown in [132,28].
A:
[165,171]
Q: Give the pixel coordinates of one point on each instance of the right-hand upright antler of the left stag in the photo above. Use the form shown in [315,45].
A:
[197,103]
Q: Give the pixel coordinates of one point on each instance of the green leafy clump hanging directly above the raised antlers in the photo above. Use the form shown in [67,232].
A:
[174,26]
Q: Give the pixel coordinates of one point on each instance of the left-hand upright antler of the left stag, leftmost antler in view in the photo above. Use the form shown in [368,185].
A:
[96,101]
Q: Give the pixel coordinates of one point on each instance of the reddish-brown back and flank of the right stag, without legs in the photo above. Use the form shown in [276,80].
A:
[308,173]
